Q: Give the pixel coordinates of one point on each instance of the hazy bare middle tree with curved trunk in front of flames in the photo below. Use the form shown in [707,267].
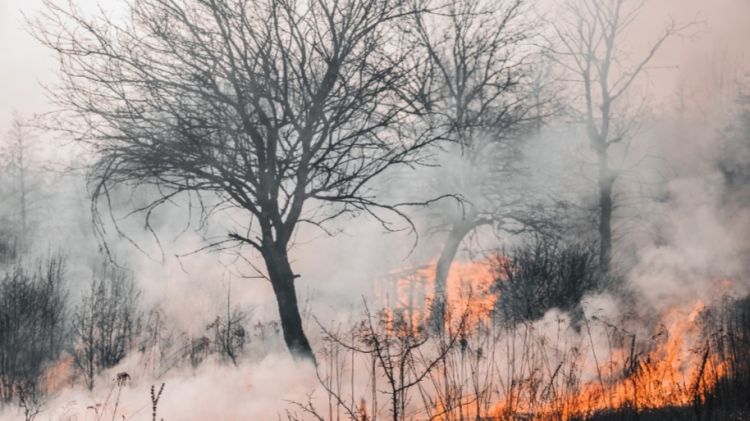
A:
[478,95]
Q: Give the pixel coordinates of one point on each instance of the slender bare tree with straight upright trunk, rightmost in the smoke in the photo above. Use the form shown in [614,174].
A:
[587,43]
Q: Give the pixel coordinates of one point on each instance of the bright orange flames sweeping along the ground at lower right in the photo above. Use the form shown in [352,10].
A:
[672,374]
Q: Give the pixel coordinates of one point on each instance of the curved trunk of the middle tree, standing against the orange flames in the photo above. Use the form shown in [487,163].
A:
[447,255]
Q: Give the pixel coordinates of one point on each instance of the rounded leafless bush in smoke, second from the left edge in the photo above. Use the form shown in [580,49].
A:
[105,323]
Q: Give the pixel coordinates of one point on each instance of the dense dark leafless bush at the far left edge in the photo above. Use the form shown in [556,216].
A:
[32,328]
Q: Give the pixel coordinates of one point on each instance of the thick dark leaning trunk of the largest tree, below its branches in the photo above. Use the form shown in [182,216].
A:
[282,281]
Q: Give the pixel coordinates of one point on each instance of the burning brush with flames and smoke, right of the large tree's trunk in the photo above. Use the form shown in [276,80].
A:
[608,357]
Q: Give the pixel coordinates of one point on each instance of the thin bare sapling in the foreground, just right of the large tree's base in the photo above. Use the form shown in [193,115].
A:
[401,355]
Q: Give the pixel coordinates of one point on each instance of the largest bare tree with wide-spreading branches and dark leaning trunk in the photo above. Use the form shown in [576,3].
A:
[285,109]
